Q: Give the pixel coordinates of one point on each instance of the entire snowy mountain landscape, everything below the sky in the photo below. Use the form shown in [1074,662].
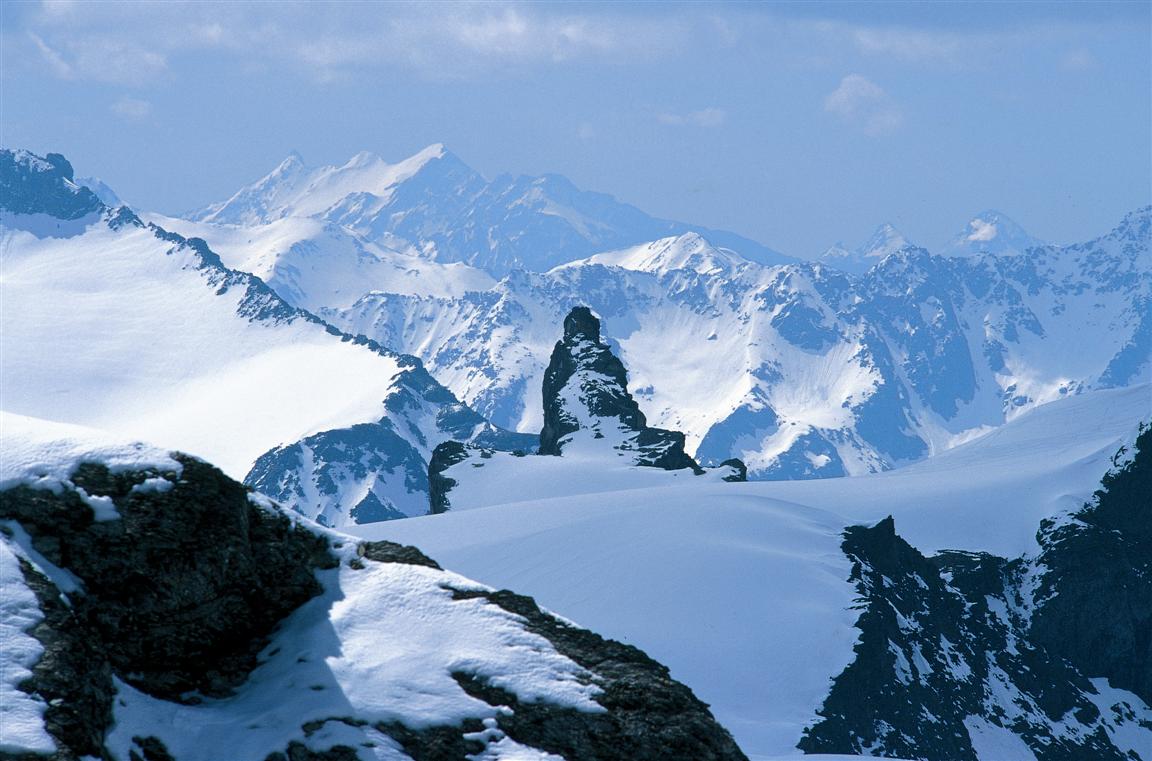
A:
[640,427]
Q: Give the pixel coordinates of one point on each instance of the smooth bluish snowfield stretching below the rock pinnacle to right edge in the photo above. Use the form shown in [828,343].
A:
[742,589]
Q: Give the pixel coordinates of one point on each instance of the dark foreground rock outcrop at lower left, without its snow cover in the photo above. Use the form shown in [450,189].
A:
[178,595]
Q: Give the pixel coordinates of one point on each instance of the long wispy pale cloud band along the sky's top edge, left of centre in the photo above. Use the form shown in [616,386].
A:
[133,43]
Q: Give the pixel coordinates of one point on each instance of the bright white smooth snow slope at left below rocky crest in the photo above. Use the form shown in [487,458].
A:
[111,330]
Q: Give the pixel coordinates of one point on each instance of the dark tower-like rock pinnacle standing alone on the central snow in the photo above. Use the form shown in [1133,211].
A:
[586,390]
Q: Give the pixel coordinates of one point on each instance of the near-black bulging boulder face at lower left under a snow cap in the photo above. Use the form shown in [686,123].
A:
[184,590]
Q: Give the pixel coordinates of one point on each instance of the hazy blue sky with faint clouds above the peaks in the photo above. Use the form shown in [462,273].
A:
[798,125]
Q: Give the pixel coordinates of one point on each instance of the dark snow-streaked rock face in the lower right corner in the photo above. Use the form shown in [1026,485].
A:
[966,646]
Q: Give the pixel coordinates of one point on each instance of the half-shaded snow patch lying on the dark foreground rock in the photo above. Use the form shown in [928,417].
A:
[380,645]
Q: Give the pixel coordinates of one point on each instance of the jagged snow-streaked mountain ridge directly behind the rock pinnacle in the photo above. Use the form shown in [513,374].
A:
[805,371]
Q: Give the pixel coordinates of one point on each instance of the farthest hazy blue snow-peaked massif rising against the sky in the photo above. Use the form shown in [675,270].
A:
[441,208]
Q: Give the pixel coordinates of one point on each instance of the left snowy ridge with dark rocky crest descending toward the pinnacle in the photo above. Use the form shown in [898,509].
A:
[163,341]
